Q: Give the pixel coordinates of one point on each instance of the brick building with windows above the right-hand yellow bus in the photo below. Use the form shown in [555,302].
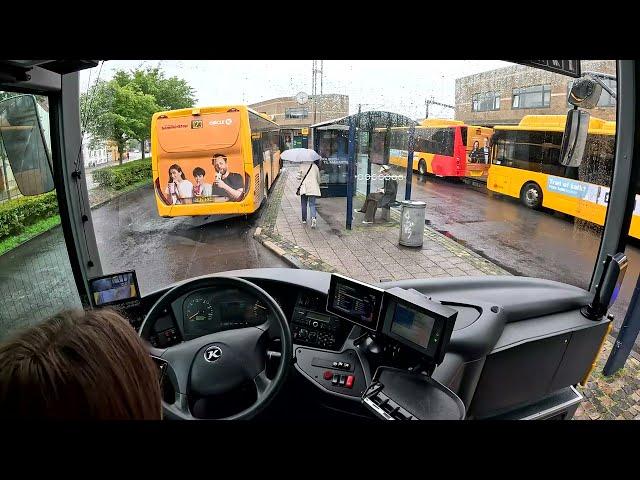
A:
[505,95]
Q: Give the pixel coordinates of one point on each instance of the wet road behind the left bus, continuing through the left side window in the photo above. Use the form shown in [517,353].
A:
[36,279]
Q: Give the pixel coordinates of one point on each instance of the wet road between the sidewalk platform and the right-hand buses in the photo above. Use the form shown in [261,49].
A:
[526,242]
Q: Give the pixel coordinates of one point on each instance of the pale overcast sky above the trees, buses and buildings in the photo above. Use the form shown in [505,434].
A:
[399,86]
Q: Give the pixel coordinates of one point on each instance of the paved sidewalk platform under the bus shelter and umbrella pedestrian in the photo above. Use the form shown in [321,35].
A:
[368,253]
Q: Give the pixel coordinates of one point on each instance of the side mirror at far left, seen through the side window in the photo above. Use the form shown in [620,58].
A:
[24,129]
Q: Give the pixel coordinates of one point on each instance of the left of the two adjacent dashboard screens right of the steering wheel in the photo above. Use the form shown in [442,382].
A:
[355,301]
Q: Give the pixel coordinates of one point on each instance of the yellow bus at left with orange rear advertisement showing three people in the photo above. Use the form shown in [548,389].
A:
[213,160]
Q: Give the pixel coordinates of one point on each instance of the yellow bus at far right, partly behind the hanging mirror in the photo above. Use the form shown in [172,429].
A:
[526,165]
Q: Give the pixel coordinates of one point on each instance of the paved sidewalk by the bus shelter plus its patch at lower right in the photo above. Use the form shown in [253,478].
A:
[371,253]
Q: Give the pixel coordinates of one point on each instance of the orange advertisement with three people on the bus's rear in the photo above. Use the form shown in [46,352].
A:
[200,159]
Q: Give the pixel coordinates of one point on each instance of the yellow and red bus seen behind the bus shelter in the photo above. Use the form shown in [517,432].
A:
[443,147]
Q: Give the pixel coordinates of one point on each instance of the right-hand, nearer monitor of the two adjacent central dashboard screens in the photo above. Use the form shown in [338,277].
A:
[418,323]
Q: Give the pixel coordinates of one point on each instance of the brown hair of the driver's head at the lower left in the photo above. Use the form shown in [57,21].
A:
[79,365]
